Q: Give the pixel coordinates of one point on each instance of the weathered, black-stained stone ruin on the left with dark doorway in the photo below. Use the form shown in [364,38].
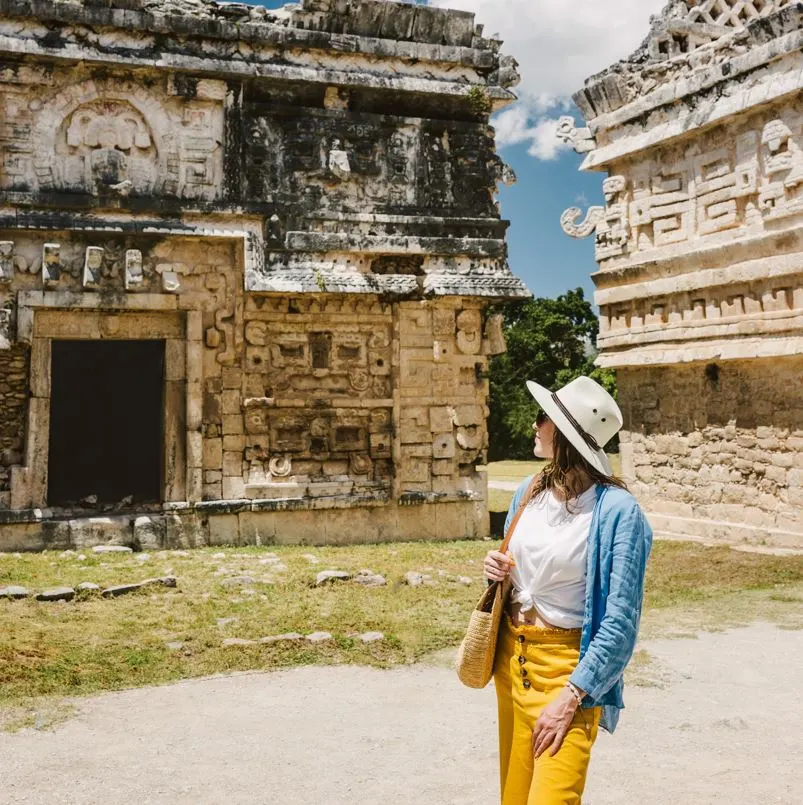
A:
[246,259]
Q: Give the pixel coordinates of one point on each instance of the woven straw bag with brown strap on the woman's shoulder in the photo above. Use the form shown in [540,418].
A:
[475,659]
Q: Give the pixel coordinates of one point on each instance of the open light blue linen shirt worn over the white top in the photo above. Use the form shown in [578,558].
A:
[619,543]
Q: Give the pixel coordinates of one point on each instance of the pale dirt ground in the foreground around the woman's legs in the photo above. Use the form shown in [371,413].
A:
[720,724]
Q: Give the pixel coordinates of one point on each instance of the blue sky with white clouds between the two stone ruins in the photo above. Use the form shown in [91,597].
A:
[558,44]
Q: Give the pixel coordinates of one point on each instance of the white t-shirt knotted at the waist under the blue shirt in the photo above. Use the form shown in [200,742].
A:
[550,546]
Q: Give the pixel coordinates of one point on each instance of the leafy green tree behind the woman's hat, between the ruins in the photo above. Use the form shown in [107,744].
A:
[550,341]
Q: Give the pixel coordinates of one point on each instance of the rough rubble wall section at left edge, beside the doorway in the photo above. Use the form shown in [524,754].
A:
[13,396]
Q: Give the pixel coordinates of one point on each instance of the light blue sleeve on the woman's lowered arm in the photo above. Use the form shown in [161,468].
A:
[612,646]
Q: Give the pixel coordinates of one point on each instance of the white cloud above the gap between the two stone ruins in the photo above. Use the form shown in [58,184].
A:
[558,44]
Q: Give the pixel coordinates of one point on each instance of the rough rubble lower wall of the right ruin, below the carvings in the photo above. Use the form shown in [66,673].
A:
[718,446]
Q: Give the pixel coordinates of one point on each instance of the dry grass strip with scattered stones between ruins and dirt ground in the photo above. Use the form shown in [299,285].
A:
[93,644]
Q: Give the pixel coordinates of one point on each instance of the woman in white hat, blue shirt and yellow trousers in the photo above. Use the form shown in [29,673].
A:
[576,561]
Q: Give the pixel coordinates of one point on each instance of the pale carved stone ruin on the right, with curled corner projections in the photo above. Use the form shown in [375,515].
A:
[700,250]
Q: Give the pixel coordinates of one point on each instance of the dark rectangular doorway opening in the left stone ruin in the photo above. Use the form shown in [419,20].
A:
[106,422]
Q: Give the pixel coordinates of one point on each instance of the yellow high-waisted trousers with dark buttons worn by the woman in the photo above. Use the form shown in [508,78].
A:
[532,665]
